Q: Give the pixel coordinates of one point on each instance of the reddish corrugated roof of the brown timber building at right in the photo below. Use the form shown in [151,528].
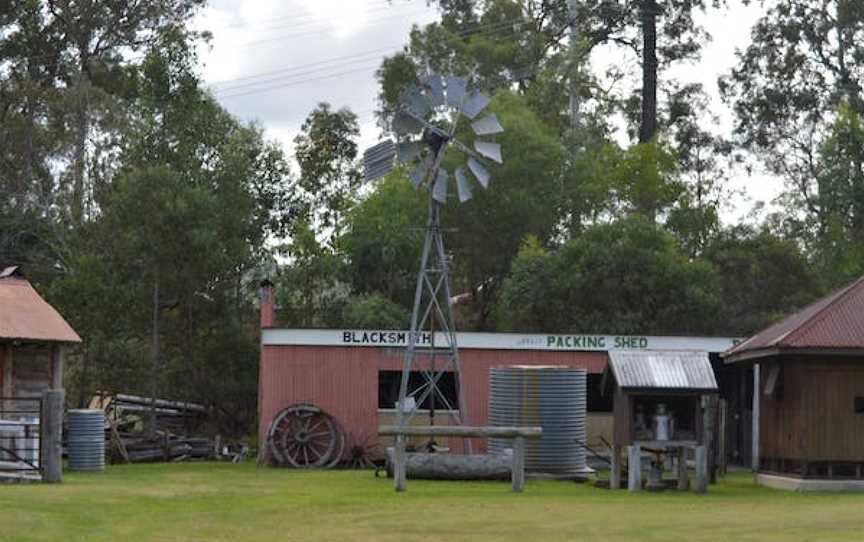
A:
[833,322]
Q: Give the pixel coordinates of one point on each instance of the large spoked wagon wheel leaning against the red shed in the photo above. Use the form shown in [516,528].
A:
[304,436]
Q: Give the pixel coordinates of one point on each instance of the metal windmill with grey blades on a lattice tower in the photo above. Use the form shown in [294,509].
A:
[425,124]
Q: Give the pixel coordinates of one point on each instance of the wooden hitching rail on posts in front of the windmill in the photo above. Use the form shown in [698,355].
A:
[518,434]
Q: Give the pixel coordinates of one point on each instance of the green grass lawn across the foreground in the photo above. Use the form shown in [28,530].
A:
[216,502]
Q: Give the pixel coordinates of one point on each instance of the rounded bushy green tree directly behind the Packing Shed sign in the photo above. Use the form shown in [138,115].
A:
[626,277]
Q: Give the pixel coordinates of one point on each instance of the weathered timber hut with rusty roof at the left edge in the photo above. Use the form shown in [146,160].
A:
[32,338]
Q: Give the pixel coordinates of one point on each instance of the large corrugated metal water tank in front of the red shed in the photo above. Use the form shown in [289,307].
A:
[551,397]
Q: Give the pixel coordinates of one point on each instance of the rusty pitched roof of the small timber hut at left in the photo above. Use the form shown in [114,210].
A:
[24,315]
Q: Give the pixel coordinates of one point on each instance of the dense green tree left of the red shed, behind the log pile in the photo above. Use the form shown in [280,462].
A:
[170,258]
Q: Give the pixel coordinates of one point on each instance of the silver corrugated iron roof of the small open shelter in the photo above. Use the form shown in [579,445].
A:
[662,369]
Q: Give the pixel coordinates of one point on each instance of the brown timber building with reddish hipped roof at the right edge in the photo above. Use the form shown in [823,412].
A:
[809,409]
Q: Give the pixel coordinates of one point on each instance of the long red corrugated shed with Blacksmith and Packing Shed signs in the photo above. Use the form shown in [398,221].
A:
[353,374]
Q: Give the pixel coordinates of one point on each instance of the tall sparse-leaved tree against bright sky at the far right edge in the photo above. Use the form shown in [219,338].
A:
[797,96]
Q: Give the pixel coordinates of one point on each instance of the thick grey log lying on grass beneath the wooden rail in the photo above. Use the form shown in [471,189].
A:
[444,466]
